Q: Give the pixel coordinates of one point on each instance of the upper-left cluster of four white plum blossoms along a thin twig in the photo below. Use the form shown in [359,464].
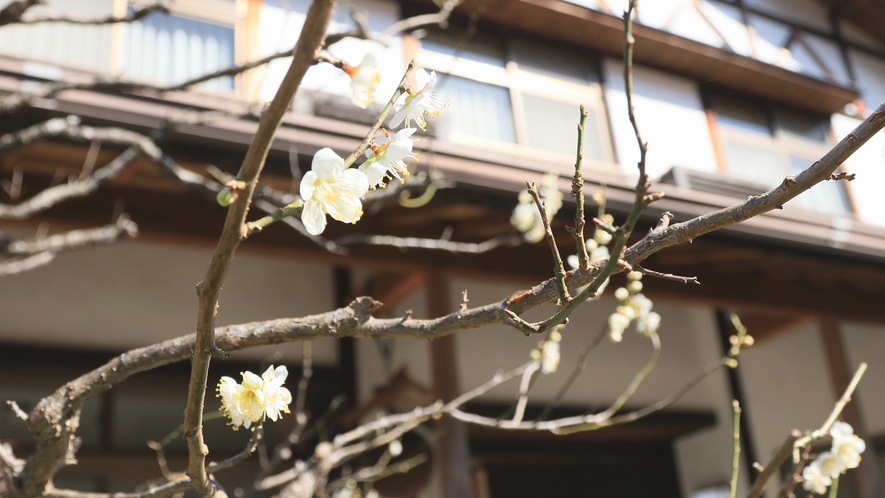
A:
[330,187]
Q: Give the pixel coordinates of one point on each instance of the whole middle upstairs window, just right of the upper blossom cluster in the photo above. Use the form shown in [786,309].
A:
[516,97]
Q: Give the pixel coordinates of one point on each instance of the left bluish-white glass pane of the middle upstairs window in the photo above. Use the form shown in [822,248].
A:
[477,109]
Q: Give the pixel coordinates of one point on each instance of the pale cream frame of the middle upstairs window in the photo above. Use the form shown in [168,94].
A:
[519,82]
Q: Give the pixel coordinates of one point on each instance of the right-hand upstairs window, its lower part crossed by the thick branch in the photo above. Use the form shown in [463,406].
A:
[764,144]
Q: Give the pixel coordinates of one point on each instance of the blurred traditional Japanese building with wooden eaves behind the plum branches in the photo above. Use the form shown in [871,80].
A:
[732,95]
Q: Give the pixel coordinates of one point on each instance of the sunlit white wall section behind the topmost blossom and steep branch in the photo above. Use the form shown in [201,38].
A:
[281,23]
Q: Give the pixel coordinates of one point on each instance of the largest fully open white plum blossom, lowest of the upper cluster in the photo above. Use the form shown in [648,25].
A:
[330,188]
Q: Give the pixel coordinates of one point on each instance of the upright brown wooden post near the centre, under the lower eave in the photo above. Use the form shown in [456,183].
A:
[453,451]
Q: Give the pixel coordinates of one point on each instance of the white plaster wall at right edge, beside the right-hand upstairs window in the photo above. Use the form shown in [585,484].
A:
[869,165]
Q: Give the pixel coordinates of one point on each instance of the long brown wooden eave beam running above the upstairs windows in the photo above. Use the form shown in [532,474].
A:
[603,33]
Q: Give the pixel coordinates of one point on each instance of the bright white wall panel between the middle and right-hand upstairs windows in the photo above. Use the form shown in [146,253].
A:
[670,115]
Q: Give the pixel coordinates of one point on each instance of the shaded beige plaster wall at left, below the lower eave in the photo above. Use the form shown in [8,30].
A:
[136,293]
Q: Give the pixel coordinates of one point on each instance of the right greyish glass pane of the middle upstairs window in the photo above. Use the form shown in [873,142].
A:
[552,125]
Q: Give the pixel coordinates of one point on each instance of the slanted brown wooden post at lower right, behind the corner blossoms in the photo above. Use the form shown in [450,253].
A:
[866,479]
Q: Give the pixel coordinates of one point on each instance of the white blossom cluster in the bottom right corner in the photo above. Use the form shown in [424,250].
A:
[843,455]
